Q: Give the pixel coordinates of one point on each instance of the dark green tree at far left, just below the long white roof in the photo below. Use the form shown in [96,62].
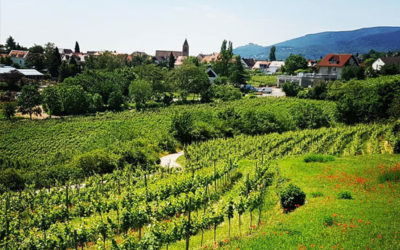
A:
[29,100]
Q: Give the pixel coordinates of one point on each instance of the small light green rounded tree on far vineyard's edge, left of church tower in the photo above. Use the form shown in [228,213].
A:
[140,91]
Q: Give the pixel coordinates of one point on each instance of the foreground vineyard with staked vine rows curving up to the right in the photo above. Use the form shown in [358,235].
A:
[223,180]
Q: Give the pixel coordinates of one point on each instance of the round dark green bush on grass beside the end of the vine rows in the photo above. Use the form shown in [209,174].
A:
[292,197]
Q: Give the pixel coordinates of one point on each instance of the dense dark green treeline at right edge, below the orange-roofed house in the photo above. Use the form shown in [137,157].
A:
[368,100]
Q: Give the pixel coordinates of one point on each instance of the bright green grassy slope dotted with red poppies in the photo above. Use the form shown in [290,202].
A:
[370,220]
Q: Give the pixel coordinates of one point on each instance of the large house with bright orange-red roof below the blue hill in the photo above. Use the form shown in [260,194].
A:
[333,64]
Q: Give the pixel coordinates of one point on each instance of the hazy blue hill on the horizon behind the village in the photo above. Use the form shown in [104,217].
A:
[317,45]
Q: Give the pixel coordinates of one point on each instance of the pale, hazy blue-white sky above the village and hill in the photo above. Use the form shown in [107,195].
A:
[146,25]
